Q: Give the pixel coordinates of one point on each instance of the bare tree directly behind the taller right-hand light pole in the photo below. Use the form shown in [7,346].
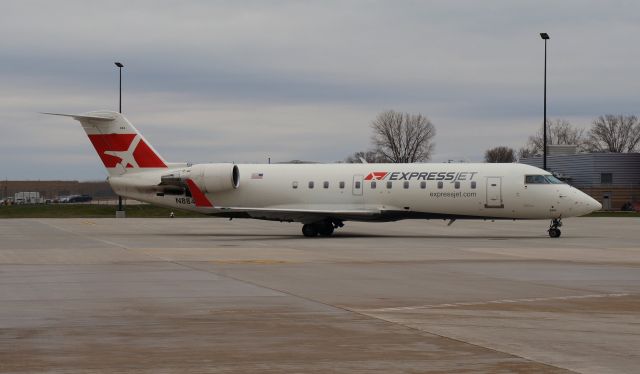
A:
[559,131]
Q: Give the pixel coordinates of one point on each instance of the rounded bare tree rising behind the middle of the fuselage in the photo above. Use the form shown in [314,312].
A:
[403,137]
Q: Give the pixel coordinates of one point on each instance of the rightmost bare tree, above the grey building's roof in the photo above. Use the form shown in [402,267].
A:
[614,133]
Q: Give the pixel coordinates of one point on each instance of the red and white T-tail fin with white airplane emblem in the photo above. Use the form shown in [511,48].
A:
[120,146]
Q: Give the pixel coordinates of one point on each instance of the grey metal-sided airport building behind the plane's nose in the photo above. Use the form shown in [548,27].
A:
[611,178]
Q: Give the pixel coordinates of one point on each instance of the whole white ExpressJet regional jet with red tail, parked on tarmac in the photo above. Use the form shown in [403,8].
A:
[323,196]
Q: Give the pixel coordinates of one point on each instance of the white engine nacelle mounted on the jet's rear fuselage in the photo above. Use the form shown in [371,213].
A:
[214,177]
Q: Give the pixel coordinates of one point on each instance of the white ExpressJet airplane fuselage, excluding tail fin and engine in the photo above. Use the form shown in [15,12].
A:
[397,191]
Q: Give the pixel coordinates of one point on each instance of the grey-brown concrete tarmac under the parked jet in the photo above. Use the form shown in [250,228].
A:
[219,296]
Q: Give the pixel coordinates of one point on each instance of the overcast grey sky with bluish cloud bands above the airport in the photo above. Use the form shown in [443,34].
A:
[241,80]
